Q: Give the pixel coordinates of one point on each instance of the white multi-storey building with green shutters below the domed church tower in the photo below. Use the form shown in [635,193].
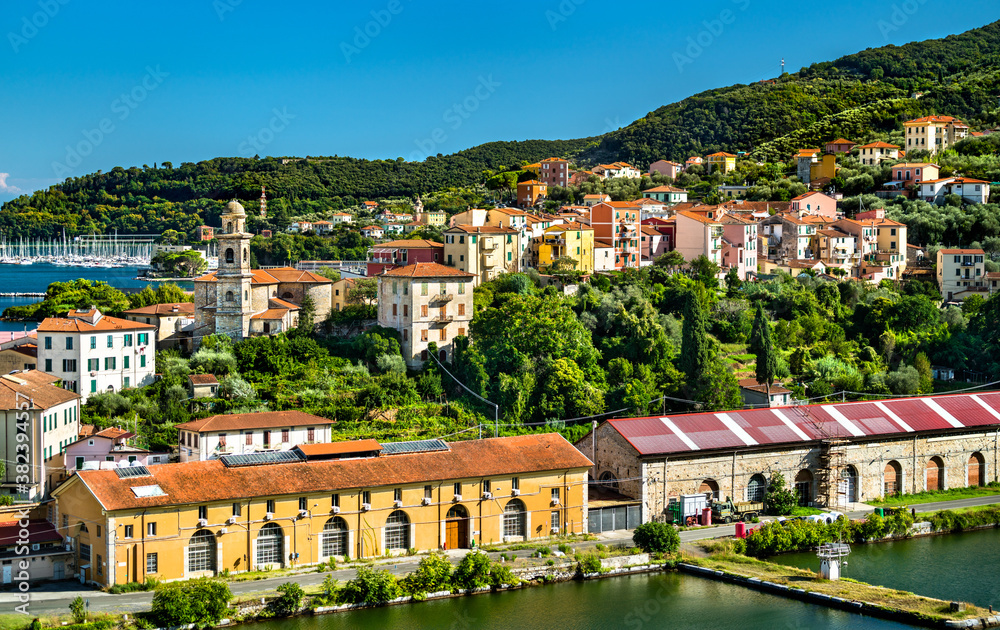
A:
[92,353]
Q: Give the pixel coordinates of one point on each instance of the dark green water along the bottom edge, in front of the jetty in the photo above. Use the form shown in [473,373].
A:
[644,601]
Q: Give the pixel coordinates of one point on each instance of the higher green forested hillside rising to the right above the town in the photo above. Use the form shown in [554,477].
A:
[958,76]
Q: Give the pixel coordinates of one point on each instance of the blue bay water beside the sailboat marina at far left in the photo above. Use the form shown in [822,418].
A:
[36,279]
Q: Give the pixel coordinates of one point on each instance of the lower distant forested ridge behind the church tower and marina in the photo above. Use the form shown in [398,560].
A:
[151,200]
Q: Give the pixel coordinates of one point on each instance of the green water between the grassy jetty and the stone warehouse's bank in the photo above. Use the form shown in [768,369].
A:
[955,567]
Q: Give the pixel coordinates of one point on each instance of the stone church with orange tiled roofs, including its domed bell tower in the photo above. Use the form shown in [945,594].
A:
[241,302]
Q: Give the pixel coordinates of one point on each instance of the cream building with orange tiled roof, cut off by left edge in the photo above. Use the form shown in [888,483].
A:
[48,417]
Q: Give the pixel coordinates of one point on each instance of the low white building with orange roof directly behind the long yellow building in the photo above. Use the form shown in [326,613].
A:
[243,433]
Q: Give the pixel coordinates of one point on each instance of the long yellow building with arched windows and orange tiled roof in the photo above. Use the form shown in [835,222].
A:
[183,521]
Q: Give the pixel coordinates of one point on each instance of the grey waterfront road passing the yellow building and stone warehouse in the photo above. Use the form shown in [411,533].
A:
[54,598]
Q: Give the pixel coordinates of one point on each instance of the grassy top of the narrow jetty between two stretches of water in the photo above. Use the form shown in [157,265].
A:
[852,590]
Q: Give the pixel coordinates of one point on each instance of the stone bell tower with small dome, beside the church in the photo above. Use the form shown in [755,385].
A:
[233,300]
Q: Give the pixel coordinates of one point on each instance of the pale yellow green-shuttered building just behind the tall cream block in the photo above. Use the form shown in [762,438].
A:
[485,251]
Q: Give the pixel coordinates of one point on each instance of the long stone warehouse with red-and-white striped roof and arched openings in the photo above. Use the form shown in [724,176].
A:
[833,455]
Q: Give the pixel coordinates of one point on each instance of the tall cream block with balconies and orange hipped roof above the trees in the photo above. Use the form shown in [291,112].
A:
[426,302]
